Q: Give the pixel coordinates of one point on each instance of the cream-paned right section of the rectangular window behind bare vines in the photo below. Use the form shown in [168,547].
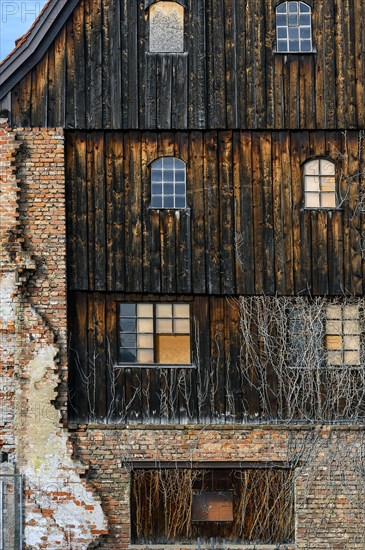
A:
[343,334]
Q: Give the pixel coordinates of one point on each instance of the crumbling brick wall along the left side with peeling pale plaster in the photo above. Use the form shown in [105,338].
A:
[60,509]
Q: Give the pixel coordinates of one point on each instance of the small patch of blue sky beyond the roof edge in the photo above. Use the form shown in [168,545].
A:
[16,17]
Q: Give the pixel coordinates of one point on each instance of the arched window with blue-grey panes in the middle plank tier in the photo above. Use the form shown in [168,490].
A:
[168,183]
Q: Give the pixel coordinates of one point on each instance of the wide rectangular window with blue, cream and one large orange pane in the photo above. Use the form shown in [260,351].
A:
[154,333]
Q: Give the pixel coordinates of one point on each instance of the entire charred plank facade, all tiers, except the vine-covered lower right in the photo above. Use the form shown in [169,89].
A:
[244,119]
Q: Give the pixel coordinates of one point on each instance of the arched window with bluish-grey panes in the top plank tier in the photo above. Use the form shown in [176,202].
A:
[293,28]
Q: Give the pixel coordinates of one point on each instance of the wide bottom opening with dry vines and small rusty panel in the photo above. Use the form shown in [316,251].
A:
[182,505]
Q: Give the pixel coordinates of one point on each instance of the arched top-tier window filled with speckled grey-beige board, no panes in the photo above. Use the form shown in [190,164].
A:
[166,21]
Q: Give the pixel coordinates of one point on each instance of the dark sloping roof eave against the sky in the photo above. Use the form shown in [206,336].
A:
[31,50]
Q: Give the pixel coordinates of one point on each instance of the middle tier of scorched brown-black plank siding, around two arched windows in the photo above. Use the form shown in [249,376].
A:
[245,230]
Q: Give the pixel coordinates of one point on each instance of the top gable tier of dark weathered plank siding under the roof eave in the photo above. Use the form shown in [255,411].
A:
[98,72]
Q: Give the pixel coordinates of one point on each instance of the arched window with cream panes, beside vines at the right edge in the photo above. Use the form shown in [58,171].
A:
[319,184]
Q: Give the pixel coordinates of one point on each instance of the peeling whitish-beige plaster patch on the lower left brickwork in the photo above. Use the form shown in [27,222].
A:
[44,455]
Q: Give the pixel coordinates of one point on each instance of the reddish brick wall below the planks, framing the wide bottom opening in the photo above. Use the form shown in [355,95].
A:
[328,463]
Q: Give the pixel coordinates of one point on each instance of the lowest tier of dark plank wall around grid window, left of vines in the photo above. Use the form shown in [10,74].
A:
[212,391]
